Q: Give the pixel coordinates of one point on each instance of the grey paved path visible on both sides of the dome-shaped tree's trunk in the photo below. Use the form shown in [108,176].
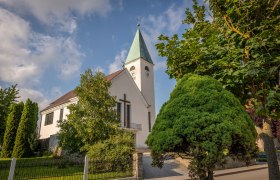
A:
[172,170]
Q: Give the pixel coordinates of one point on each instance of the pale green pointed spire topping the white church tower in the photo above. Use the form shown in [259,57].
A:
[138,49]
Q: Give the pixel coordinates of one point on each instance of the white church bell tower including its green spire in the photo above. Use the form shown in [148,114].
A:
[141,67]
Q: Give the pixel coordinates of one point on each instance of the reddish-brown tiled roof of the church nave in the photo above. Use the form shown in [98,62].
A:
[71,94]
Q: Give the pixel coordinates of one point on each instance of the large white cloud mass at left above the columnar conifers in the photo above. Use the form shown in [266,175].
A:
[25,56]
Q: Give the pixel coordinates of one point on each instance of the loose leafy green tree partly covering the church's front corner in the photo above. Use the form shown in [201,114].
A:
[93,118]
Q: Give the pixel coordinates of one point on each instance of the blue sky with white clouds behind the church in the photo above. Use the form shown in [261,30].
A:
[46,45]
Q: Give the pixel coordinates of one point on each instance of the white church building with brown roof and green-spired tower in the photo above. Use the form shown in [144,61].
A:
[133,87]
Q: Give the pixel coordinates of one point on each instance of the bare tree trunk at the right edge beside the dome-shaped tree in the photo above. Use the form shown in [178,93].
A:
[267,137]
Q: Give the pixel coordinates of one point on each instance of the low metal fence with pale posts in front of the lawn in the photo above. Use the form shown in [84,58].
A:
[63,168]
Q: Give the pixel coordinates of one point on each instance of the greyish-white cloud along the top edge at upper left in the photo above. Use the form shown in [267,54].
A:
[59,13]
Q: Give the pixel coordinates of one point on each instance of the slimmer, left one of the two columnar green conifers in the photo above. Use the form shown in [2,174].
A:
[11,129]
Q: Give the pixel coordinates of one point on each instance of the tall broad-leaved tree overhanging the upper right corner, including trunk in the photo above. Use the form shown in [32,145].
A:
[240,48]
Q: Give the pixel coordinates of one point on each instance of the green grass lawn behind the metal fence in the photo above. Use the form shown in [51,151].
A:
[49,168]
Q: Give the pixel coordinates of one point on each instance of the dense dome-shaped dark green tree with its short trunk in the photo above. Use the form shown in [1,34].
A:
[204,122]
